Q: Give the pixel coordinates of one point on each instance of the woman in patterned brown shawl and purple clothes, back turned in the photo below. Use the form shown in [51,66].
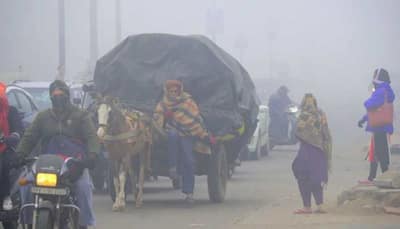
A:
[313,160]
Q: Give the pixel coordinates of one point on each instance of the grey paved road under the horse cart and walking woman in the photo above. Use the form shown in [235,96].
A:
[262,194]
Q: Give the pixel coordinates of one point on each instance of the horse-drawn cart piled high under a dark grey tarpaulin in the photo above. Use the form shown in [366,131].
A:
[134,72]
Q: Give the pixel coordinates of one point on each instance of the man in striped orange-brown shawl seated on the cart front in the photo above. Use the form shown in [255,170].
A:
[178,114]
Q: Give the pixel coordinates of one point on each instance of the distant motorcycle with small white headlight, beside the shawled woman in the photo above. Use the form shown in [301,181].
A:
[292,114]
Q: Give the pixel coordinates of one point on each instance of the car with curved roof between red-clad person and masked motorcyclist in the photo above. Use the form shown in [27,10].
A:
[23,101]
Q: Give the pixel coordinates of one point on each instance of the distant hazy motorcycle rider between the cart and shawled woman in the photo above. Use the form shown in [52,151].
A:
[279,122]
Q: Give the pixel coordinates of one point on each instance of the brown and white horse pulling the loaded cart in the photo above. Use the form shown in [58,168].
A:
[125,134]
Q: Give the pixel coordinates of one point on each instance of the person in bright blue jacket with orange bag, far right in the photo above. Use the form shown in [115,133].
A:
[379,120]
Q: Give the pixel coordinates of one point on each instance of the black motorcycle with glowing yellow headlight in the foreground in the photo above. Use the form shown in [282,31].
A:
[54,202]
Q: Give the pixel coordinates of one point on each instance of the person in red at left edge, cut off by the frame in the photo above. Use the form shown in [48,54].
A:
[11,129]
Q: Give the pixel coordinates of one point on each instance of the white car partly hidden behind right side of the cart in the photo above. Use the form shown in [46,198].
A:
[259,143]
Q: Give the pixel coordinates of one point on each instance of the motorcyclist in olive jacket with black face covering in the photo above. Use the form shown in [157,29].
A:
[68,130]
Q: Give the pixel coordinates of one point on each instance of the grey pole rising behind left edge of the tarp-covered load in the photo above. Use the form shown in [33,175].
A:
[93,35]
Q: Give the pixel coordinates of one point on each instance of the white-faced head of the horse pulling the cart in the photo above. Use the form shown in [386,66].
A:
[105,106]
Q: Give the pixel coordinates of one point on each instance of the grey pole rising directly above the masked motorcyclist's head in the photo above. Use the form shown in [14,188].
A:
[61,40]
